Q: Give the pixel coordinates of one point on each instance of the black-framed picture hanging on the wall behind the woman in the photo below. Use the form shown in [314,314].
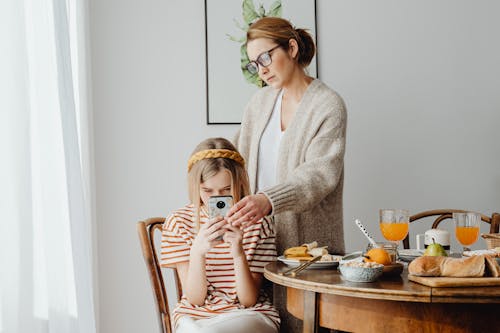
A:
[229,85]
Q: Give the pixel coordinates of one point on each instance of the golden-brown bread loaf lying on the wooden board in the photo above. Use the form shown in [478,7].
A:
[476,266]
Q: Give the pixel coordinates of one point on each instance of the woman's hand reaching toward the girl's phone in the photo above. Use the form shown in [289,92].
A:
[249,210]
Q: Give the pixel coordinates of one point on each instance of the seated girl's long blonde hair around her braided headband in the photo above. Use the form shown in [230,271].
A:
[206,168]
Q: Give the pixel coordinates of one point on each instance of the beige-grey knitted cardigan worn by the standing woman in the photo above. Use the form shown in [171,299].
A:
[307,202]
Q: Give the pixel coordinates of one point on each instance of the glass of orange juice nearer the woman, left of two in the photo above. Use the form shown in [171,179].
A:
[394,224]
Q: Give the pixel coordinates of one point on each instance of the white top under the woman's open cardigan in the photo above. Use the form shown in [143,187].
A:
[268,148]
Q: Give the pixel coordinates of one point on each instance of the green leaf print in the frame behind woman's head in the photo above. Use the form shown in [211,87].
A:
[250,15]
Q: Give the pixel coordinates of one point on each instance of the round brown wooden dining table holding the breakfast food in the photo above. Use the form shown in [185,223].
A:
[391,304]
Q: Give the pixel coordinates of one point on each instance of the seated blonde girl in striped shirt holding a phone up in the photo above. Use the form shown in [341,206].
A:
[221,279]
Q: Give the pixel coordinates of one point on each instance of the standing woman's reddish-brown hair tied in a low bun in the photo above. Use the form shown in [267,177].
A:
[281,31]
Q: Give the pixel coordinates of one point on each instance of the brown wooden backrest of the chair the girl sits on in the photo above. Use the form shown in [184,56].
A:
[146,230]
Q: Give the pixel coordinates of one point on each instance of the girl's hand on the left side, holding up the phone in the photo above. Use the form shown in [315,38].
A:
[206,237]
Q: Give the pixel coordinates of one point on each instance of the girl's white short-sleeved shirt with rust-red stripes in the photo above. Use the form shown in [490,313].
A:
[178,233]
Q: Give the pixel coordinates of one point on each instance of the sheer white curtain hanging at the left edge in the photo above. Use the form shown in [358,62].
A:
[46,210]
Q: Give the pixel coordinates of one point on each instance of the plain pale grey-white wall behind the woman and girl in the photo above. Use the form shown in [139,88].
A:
[420,80]
